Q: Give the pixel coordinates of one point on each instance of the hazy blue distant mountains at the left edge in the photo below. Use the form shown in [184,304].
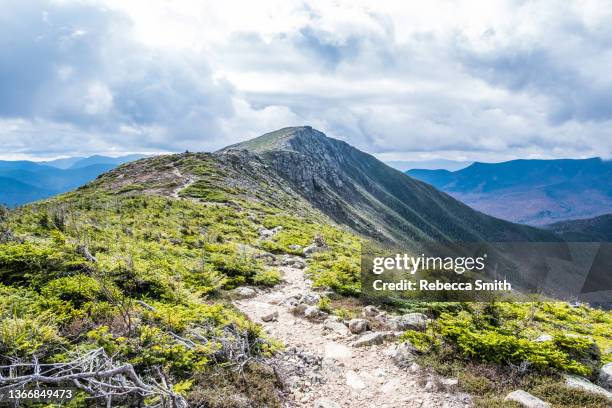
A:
[26,181]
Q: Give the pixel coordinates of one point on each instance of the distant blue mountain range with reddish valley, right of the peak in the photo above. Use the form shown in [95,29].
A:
[535,192]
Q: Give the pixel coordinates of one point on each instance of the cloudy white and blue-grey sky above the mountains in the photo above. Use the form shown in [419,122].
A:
[453,80]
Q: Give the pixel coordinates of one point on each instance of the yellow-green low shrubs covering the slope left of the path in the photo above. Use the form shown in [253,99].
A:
[144,277]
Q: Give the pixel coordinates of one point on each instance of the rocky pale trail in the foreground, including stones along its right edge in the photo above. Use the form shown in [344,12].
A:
[326,366]
